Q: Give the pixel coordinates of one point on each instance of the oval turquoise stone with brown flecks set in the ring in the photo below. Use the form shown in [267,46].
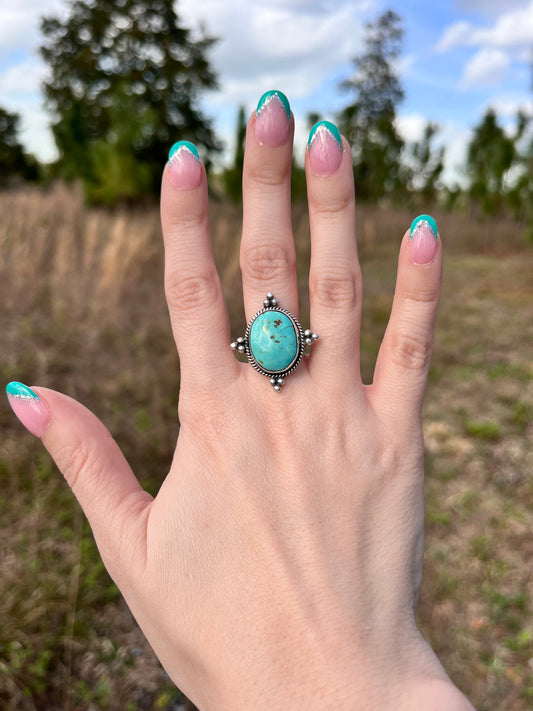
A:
[273,341]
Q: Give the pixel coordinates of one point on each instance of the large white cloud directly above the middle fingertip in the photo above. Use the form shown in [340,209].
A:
[290,45]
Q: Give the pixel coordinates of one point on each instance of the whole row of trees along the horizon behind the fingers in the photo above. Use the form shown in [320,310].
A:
[126,78]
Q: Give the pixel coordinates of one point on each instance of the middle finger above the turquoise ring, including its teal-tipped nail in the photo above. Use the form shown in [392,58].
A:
[268,261]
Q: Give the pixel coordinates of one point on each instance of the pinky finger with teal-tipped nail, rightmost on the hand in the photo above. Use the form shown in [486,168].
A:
[403,360]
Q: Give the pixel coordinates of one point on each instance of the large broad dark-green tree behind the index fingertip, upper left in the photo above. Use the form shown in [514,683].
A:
[125,79]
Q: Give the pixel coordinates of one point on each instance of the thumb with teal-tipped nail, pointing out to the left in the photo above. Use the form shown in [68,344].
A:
[94,467]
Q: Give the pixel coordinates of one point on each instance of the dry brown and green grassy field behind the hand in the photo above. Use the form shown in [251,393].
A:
[83,311]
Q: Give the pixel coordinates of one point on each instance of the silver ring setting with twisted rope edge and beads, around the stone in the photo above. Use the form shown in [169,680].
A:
[304,338]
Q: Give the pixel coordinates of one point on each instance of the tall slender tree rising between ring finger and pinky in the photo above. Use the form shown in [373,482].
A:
[369,121]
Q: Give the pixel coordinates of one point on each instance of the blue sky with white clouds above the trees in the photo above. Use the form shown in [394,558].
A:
[459,58]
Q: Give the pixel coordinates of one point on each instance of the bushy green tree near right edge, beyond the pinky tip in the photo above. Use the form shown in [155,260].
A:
[490,156]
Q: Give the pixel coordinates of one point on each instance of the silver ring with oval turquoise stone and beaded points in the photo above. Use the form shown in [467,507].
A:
[274,342]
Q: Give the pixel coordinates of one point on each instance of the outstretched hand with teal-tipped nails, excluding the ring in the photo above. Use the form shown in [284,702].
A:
[279,565]
